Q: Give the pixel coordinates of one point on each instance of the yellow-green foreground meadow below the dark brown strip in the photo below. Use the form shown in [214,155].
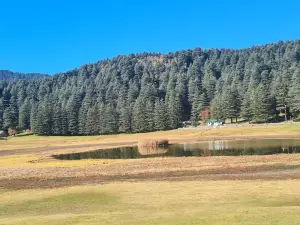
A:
[181,202]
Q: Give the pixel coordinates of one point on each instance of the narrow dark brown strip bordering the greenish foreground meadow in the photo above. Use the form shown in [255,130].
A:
[33,183]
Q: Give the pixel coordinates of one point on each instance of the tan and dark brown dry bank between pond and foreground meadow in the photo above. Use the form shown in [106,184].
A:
[274,167]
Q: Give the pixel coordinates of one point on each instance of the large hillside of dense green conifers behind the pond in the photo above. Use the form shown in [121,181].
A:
[148,91]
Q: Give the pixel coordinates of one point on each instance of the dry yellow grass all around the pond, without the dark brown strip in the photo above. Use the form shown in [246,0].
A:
[38,164]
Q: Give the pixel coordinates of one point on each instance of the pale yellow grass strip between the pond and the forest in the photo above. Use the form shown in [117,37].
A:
[179,135]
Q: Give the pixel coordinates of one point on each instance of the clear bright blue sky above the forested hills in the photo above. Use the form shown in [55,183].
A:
[55,36]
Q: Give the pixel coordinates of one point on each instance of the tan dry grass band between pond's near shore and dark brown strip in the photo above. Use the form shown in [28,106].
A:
[284,166]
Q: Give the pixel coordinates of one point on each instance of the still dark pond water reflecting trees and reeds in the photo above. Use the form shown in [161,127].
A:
[198,149]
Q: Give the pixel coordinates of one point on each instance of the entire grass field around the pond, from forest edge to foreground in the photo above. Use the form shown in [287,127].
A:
[37,189]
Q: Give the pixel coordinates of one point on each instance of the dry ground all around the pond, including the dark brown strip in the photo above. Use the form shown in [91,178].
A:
[33,166]
